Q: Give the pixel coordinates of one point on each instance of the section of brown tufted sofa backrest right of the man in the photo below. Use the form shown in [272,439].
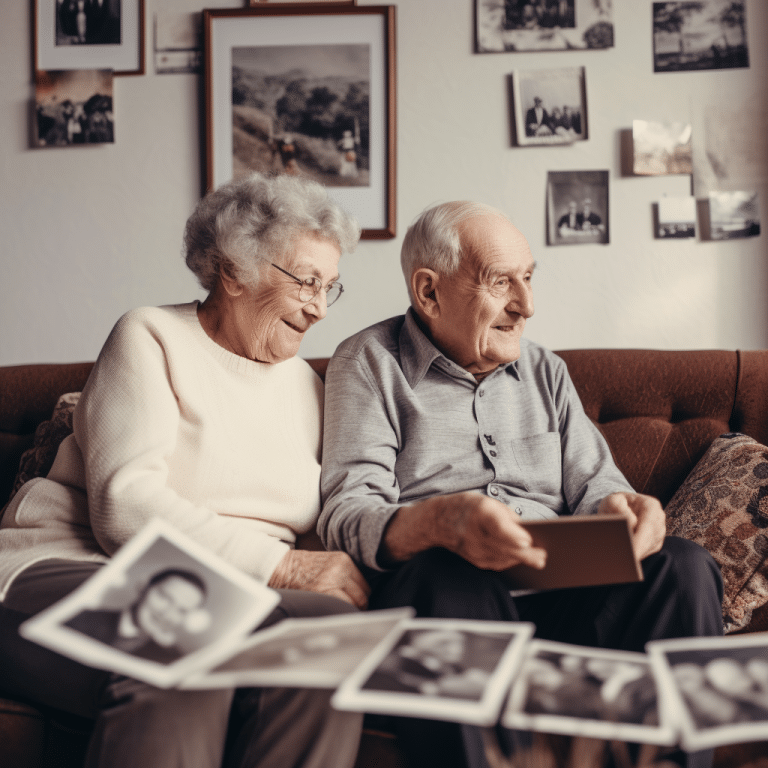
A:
[660,410]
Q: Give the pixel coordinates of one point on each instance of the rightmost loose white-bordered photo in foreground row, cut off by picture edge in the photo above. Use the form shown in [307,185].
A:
[717,687]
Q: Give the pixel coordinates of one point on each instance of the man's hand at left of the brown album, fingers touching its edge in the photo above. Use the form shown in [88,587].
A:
[481,530]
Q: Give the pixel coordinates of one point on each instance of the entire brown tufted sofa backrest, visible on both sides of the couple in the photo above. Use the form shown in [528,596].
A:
[659,410]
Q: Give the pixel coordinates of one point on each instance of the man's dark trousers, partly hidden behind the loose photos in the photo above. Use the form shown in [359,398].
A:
[680,596]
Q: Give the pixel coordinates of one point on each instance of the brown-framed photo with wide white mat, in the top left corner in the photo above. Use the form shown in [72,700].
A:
[89,34]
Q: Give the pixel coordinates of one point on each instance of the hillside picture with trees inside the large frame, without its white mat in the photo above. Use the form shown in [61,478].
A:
[302,109]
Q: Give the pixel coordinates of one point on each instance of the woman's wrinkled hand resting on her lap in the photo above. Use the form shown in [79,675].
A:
[329,573]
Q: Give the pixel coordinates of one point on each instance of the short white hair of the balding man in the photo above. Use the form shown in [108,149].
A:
[433,241]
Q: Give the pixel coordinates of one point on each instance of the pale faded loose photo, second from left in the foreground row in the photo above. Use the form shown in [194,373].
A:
[310,653]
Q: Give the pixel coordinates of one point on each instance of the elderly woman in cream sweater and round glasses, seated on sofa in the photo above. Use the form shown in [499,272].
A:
[202,414]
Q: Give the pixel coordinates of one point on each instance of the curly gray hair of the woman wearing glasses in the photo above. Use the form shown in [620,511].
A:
[260,216]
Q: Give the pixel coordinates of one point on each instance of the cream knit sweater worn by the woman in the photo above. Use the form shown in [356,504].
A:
[171,424]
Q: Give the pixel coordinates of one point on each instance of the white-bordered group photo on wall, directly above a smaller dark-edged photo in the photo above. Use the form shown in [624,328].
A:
[550,106]
